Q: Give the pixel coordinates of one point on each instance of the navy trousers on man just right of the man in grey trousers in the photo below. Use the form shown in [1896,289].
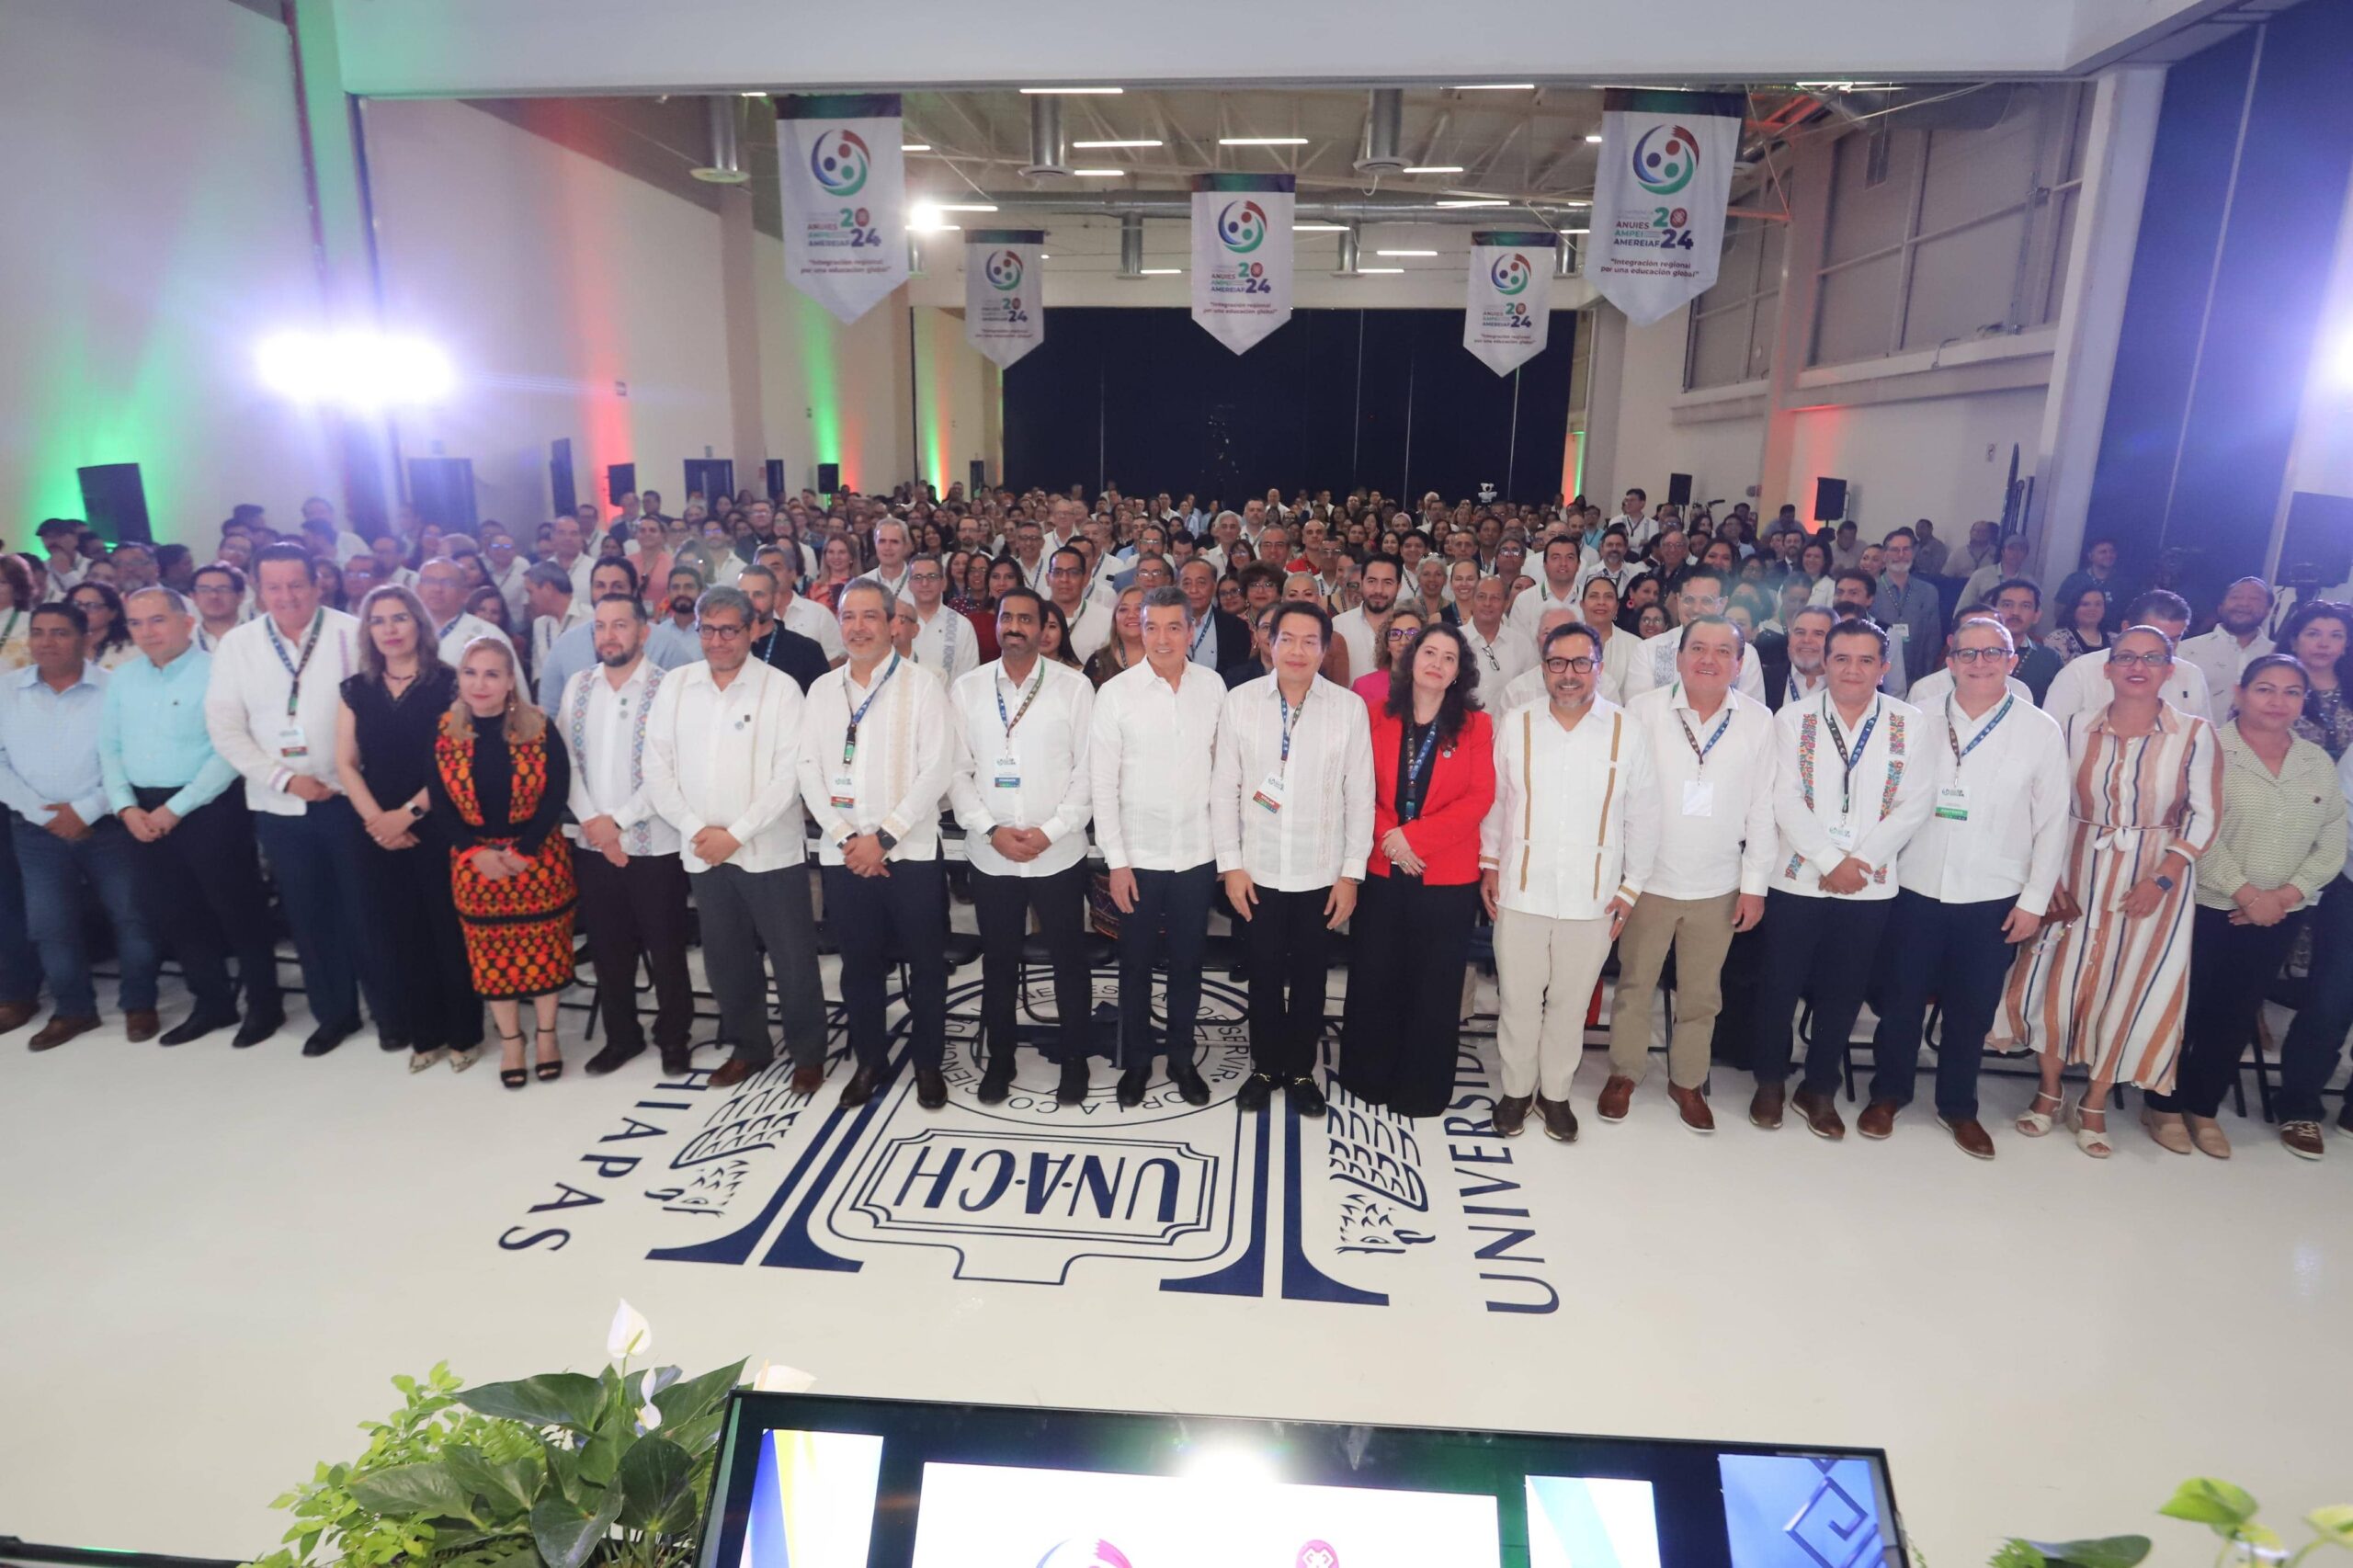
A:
[881,919]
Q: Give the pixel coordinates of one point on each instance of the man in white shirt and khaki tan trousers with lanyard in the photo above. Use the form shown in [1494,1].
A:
[1714,755]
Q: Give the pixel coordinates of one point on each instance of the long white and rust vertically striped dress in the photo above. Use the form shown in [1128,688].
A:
[2109,990]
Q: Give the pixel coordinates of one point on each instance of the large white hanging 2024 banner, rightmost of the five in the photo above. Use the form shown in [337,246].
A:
[1660,197]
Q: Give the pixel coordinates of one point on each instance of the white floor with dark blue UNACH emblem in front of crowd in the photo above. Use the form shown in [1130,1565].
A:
[211,1265]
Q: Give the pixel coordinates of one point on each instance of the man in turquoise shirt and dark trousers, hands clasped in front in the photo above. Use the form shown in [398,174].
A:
[192,835]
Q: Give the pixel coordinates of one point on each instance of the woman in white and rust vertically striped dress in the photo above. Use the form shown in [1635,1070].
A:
[2105,988]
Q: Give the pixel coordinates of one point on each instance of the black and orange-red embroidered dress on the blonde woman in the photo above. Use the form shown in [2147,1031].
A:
[491,795]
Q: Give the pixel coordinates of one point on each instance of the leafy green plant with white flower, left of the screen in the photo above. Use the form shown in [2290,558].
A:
[561,1470]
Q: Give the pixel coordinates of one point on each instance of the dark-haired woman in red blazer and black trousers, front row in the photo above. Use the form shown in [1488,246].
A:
[1434,780]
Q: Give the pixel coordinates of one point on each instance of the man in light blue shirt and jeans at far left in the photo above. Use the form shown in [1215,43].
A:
[65,830]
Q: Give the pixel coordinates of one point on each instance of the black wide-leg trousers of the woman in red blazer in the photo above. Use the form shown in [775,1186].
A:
[1406,990]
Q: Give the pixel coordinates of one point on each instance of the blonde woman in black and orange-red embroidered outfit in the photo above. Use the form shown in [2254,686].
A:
[500,788]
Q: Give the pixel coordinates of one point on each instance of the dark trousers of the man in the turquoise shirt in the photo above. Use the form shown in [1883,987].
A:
[204,886]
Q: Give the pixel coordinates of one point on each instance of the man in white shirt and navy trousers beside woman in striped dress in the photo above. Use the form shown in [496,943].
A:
[1973,882]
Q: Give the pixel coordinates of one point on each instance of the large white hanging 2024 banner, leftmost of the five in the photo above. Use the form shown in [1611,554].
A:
[844,199]
